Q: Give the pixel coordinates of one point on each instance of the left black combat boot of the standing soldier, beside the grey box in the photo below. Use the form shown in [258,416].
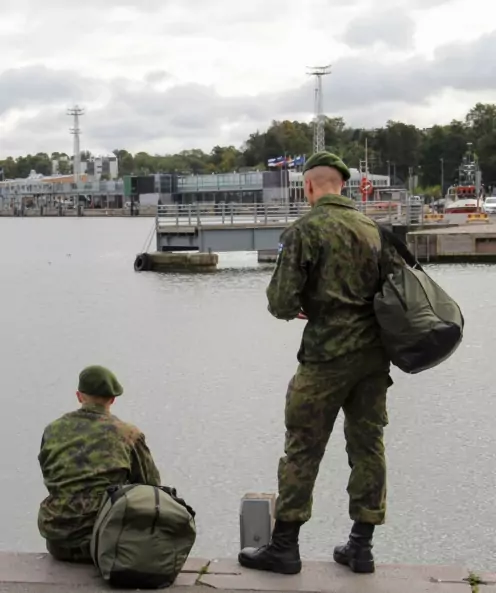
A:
[282,555]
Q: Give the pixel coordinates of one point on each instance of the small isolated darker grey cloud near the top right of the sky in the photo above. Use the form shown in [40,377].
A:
[394,28]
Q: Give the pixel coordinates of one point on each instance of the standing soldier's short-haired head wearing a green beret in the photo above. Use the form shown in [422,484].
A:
[324,173]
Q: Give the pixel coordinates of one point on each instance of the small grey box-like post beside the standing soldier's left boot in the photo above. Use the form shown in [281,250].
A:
[256,519]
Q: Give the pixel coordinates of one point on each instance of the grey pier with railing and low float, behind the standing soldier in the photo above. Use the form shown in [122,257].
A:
[204,230]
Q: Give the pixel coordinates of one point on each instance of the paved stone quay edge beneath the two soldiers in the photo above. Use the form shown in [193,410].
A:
[38,573]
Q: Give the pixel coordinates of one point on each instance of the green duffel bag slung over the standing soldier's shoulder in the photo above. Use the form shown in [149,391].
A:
[421,325]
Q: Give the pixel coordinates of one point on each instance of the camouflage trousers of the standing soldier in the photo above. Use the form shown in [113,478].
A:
[357,384]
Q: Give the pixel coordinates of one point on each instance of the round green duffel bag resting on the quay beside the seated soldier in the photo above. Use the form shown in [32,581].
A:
[142,536]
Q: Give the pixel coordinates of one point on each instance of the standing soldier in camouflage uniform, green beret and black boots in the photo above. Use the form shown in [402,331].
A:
[328,273]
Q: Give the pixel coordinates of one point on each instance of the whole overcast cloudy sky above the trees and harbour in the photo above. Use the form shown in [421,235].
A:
[166,75]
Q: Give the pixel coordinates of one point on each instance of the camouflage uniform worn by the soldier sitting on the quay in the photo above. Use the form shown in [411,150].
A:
[82,454]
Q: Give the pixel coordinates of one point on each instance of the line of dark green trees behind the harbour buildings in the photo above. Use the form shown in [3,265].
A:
[399,149]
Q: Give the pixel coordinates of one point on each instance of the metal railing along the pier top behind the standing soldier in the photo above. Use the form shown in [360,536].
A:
[235,213]
